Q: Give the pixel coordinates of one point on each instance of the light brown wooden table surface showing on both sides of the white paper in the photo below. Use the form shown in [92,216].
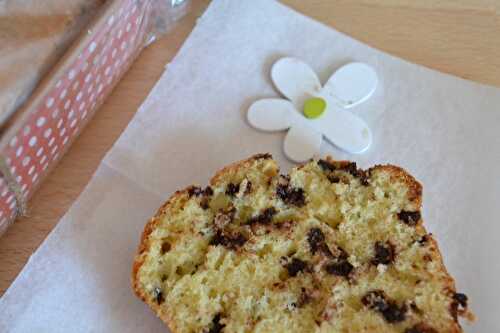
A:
[454,36]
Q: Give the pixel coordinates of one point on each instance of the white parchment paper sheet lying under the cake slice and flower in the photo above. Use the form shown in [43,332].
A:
[444,130]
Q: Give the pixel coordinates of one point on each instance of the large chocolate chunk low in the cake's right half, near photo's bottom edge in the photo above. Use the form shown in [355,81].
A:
[378,301]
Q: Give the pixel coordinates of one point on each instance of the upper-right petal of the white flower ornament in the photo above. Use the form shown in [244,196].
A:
[351,84]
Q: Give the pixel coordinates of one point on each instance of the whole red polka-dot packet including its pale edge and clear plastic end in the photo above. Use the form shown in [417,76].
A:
[42,130]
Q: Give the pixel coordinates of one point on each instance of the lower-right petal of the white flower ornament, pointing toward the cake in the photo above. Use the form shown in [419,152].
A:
[344,129]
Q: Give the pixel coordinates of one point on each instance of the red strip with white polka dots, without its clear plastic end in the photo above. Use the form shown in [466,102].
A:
[71,102]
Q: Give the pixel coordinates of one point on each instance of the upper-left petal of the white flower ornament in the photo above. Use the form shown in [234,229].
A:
[295,79]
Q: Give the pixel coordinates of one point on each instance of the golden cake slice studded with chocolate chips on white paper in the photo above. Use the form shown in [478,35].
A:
[327,248]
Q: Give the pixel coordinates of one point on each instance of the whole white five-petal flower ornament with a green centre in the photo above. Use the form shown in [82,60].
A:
[312,111]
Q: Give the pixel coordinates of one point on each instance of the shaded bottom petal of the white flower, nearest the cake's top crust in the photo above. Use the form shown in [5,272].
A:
[302,143]
